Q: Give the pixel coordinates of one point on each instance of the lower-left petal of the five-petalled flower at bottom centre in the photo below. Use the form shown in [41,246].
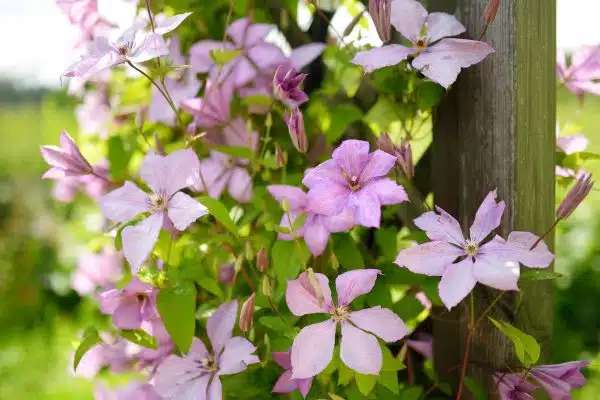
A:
[312,349]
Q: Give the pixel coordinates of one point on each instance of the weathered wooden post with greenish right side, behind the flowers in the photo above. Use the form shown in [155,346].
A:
[496,129]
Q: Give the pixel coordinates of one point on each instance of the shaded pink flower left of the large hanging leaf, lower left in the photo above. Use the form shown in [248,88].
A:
[131,305]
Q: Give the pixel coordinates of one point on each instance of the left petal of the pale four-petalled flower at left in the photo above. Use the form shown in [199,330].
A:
[125,203]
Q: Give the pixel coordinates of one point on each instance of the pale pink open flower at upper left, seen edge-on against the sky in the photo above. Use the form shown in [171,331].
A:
[134,45]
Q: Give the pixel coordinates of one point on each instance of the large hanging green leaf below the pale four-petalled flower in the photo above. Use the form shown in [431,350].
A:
[177,308]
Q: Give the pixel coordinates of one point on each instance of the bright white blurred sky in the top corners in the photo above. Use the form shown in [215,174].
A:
[36,40]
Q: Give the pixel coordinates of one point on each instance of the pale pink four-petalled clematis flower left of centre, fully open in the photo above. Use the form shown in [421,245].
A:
[166,176]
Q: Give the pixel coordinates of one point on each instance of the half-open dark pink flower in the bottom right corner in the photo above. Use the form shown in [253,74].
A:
[558,380]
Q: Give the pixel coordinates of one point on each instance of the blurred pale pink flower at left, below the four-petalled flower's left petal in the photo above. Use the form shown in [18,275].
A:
[96,270]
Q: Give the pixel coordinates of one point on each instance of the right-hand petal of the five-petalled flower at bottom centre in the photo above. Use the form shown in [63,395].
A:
[381,322]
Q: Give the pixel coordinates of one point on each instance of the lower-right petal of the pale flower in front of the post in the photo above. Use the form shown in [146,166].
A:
[496,272]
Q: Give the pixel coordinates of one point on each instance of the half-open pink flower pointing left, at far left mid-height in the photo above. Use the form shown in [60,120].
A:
[65,160]
